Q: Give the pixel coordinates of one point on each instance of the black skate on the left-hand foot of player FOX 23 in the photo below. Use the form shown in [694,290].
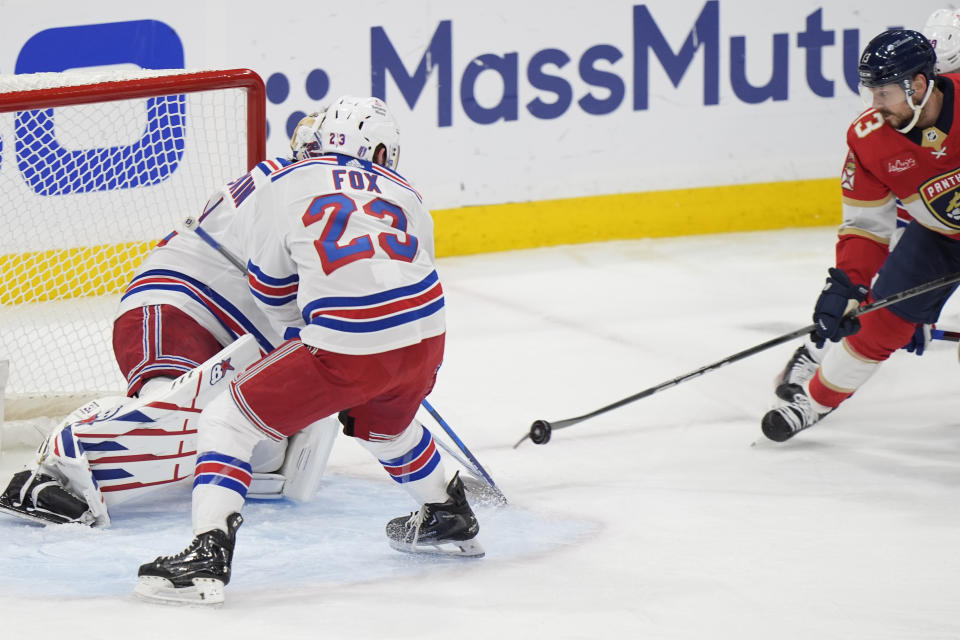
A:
[197,574]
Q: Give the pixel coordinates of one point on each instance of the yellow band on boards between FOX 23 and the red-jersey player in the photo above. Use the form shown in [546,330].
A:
[652,214]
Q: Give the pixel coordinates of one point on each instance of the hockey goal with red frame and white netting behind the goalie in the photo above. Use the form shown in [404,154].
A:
[95,168]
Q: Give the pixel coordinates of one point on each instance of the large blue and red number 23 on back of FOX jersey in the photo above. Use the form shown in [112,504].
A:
[337,208]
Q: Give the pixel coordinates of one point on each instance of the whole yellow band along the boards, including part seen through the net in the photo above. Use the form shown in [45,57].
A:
[105,269]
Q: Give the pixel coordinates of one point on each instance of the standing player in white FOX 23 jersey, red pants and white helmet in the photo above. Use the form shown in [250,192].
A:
[356,237]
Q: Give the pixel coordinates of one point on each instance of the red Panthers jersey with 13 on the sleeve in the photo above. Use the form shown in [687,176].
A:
[921,169]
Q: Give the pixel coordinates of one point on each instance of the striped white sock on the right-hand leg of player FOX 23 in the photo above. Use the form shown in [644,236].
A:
[412,460]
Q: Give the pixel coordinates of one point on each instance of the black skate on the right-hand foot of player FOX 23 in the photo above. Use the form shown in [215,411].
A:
[447,528]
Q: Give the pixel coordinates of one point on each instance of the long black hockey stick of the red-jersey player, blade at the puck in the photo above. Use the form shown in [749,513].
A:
[541,430]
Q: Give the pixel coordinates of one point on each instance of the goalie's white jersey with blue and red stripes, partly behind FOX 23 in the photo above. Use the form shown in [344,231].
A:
[183,270]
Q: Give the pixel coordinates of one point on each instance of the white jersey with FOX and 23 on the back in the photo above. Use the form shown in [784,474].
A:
[353,242]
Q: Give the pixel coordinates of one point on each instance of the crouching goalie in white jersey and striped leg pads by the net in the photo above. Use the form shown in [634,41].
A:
[178,320]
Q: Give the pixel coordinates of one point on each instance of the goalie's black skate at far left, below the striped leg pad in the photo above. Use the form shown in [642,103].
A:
[41,499]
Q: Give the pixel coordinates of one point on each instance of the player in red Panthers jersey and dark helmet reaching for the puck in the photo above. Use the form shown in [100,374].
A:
[898,150]
